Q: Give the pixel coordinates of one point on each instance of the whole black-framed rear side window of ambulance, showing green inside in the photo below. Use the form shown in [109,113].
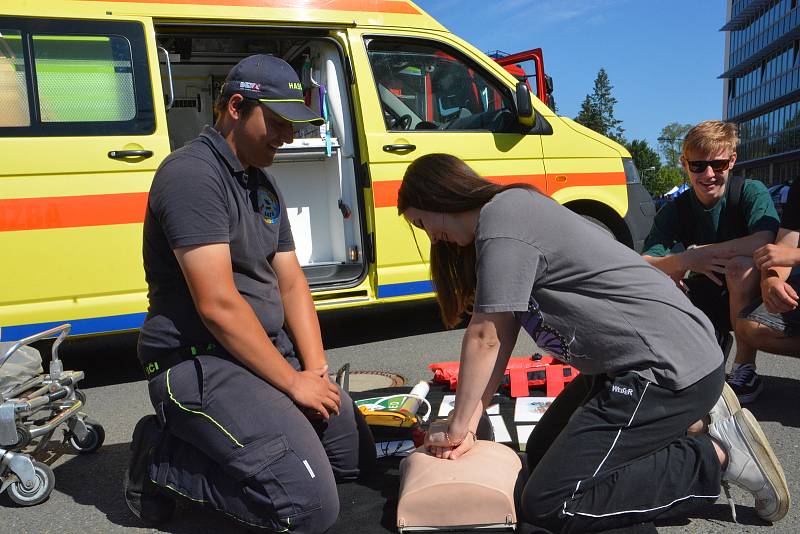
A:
[63,77]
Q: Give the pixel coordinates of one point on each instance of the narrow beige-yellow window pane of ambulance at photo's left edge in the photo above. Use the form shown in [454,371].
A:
[13,87]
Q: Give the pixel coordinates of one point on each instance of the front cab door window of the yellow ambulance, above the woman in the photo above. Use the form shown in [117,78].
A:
[425,86]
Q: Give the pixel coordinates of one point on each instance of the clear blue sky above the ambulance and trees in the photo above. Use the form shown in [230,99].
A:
[662,57]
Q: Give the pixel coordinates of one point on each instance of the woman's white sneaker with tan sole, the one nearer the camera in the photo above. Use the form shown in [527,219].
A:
[752,465]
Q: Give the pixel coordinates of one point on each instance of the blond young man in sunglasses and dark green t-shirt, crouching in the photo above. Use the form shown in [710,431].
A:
[720,221]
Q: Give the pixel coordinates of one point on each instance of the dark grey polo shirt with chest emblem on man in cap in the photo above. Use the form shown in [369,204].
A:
[201,195]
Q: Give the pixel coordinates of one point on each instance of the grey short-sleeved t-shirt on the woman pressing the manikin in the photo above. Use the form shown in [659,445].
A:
[586,298]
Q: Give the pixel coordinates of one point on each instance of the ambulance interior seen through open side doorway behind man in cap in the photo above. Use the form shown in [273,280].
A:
[316,173]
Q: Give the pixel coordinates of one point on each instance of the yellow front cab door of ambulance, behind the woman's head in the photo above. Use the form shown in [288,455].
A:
[420,93]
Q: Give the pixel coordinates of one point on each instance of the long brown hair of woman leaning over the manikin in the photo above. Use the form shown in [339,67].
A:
[443,183]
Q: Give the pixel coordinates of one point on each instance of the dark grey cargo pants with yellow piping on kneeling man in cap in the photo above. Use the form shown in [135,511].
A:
[238,444]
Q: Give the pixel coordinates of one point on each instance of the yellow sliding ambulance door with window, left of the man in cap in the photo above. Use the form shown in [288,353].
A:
[81,135]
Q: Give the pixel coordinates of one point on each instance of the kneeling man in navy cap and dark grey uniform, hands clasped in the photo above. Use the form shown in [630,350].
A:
[247,420]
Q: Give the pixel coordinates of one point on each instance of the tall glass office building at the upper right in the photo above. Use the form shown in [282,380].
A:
[762,86]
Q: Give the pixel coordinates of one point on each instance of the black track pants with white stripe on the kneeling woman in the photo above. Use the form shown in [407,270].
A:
[612,452]
